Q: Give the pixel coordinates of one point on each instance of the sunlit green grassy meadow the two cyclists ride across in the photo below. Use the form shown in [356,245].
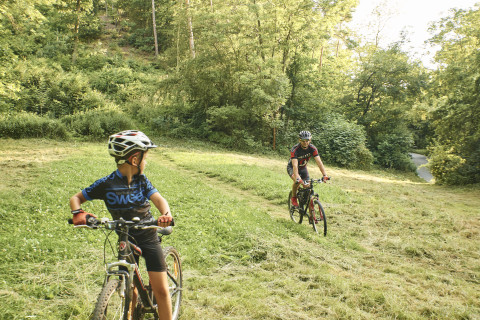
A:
[397,248]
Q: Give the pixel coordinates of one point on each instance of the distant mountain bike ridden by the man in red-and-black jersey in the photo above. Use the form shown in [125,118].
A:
[308,206]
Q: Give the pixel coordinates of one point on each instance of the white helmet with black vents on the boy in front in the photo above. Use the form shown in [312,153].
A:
[121,143]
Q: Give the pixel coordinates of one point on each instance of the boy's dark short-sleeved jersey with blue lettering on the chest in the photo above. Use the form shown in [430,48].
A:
[123,200]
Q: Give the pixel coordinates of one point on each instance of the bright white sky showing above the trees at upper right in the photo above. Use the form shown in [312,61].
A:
[412,16]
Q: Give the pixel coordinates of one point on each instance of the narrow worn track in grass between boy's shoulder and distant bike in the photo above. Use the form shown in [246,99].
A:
[253,200]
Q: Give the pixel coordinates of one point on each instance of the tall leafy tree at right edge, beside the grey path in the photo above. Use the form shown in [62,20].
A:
[456,117]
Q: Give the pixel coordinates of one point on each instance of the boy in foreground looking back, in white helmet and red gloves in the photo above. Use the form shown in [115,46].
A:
[126,193]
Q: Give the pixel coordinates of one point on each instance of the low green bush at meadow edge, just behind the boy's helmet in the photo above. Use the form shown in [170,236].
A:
[98,123]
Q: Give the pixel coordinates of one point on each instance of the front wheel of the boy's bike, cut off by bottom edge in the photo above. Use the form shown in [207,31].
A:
[111,302]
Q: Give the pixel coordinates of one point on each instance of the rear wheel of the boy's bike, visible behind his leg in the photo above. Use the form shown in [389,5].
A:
[174,274]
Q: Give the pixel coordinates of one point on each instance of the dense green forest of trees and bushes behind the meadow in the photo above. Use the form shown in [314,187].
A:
[245,74]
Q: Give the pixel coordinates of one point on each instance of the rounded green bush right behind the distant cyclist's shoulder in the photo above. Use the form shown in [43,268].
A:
[342,142]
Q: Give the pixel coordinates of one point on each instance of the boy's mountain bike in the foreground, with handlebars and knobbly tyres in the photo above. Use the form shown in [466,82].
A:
[118,299]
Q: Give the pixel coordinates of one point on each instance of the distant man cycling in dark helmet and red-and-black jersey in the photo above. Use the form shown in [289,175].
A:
[297,165]
